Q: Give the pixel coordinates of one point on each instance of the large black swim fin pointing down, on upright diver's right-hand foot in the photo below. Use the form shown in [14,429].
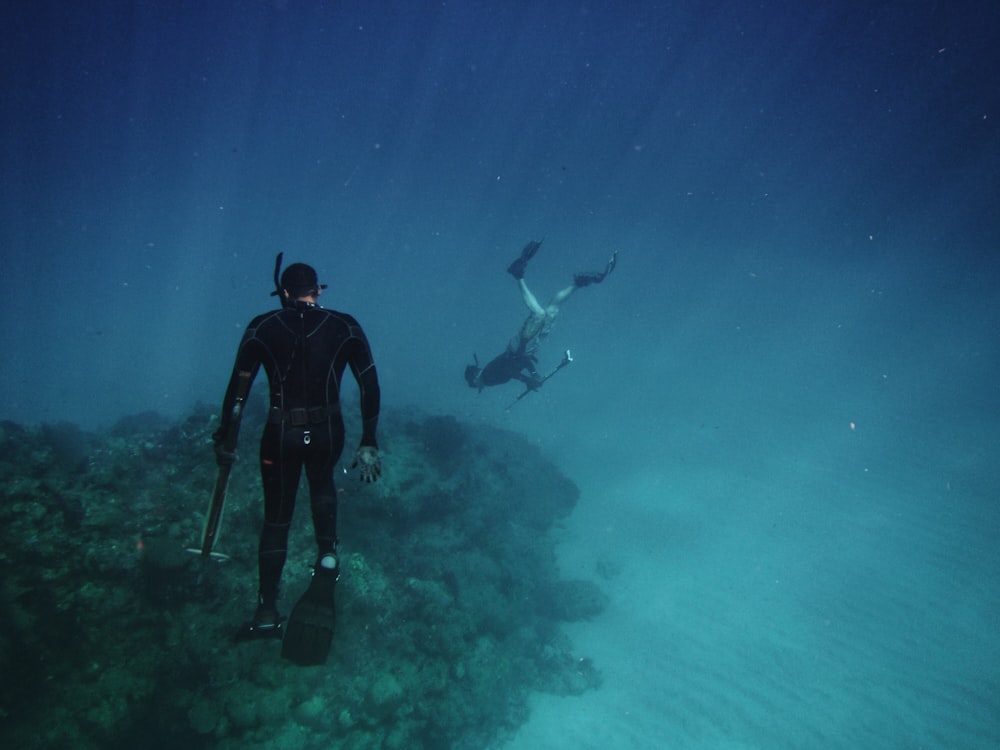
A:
[309,630]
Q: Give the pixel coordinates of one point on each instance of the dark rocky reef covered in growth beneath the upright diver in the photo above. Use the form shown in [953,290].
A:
[448,607]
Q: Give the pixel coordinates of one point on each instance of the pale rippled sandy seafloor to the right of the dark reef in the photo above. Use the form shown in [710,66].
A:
[837,597]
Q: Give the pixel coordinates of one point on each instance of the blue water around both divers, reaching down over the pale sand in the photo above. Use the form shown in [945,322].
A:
[783,408]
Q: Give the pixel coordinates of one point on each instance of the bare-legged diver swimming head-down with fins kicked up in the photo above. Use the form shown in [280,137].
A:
[518,361]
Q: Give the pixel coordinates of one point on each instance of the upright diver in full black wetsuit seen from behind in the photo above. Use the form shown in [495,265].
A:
[304,349]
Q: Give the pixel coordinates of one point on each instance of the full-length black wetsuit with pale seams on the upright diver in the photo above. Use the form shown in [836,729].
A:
[304,351]
